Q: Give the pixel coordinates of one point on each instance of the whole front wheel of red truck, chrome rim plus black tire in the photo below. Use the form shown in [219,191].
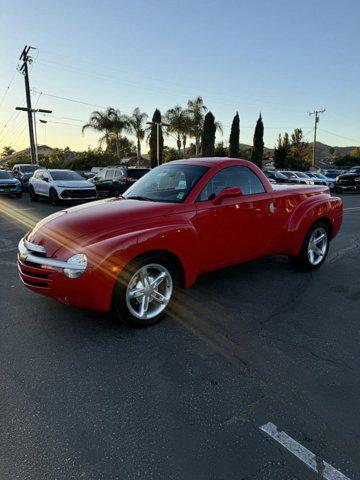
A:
[145,291]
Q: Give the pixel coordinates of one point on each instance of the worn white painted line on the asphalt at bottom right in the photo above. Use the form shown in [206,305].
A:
[323,469]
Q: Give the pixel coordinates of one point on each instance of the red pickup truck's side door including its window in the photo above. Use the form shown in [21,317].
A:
[239,229]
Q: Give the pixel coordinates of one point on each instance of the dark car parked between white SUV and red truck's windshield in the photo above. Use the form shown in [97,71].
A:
[113,181]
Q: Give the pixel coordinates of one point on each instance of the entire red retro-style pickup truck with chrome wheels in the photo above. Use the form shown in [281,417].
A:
[180,220]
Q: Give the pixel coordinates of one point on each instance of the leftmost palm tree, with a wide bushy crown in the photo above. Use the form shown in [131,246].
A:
[112,122]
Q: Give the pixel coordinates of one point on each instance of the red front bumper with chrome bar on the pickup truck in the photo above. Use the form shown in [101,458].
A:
[44,275]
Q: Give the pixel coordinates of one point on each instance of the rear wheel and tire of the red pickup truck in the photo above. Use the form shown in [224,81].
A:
[314,249]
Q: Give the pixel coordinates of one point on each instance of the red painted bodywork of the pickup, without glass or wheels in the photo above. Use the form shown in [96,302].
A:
[202,235]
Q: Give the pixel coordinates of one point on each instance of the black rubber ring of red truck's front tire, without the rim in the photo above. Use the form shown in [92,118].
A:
[120,308]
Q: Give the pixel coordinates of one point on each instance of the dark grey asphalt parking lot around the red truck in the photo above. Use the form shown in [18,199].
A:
[84,398]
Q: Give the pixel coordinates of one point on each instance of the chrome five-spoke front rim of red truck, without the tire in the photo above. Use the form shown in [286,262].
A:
[149,291]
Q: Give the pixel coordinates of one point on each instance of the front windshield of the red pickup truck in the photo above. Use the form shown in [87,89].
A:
[167,183]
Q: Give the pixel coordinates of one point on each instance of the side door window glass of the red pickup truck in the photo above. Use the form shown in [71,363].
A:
[240,177]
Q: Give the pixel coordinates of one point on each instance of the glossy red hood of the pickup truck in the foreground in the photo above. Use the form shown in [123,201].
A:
[85,224]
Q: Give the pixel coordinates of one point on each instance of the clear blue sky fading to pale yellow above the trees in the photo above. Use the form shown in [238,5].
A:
[278,57]
